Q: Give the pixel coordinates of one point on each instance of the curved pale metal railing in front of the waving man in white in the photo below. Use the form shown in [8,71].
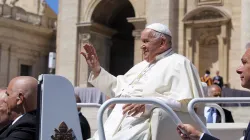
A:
[157,102]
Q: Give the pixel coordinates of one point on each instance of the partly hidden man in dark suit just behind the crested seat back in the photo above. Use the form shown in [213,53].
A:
[83,122]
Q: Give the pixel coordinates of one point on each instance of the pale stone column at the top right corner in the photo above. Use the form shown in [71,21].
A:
[245,20]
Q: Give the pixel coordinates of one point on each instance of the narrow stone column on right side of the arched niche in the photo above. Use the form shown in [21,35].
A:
[223,53]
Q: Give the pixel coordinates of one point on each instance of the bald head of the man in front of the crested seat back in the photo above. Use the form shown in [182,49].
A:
[22,91]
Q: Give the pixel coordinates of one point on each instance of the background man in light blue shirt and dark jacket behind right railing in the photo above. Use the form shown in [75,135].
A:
[212,115]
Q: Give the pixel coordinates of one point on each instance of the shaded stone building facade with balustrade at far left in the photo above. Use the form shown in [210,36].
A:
[27,35]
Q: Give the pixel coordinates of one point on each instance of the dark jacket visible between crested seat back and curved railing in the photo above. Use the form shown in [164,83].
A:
[85,127]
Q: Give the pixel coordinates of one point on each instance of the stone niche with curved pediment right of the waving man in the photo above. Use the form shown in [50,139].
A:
[207,37]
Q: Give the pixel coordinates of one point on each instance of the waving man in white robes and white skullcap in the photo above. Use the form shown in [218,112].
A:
[163,74]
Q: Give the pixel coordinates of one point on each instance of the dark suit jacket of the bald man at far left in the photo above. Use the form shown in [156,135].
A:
[22,129]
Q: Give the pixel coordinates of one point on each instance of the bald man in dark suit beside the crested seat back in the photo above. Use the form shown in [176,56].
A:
[21,100]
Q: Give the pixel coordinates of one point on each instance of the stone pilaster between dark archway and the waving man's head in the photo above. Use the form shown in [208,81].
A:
[139,24]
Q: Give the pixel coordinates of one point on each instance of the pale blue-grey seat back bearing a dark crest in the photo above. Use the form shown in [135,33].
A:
[58,111]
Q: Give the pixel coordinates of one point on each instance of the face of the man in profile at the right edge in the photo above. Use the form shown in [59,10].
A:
[244,70]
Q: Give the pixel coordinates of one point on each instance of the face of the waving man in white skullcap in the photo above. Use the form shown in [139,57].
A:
[151,45]
